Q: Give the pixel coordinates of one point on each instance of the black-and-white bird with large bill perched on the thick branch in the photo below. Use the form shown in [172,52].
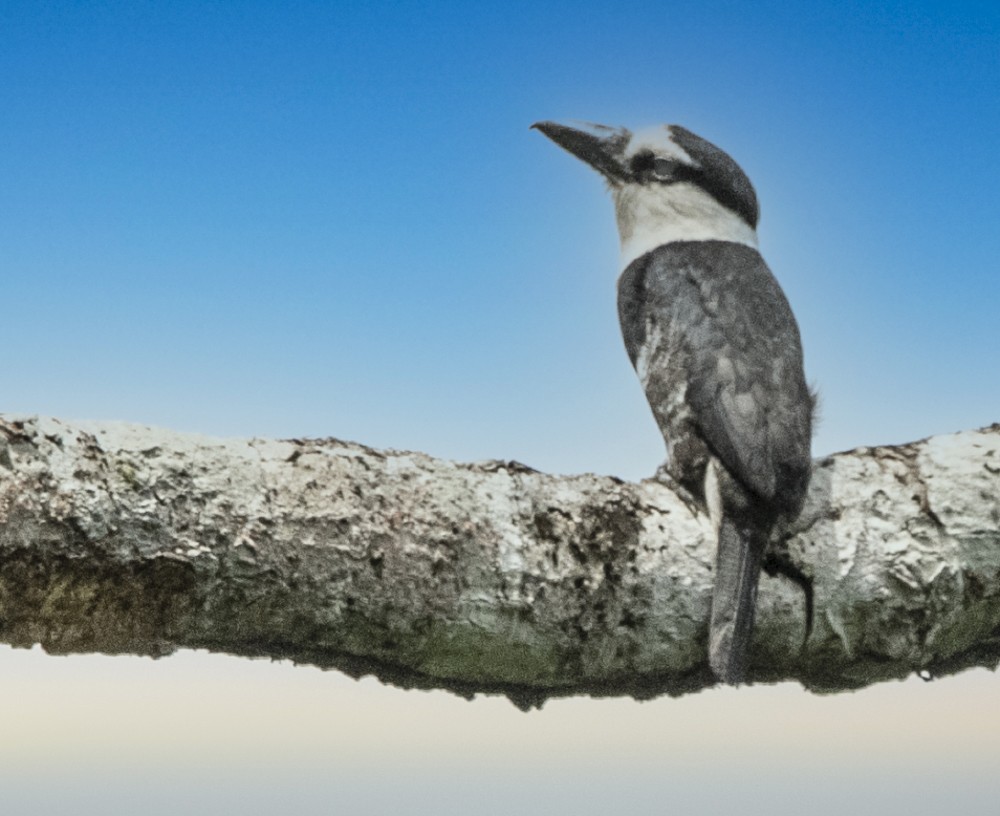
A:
[715,345]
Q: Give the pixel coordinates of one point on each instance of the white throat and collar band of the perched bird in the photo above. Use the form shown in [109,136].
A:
[652,215]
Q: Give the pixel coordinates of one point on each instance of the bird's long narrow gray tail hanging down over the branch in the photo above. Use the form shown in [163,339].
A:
[741,550]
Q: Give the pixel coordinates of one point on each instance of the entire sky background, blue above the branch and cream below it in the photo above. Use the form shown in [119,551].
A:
[303,218]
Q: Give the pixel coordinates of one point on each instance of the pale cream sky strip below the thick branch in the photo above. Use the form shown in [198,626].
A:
[200,733]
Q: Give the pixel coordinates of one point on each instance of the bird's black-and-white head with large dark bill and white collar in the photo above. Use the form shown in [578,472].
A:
[667,183]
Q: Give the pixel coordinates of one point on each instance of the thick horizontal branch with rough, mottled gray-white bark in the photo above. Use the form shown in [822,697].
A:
[484,577]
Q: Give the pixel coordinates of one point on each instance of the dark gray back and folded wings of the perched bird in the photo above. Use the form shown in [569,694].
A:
[728,357]
